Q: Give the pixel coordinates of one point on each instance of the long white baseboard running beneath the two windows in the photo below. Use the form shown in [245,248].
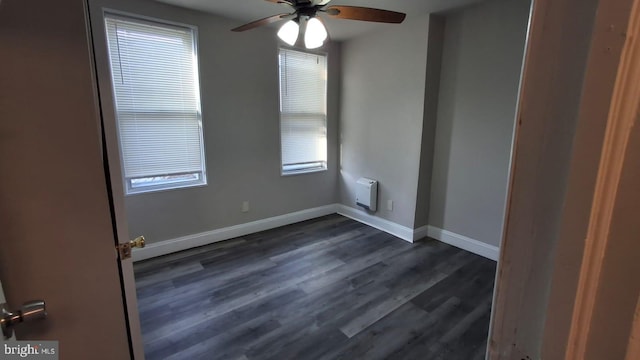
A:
[209,237]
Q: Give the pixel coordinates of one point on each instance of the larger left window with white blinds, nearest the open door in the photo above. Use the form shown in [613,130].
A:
[154,72]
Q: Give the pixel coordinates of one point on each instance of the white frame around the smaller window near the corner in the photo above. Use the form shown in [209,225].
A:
[304,170]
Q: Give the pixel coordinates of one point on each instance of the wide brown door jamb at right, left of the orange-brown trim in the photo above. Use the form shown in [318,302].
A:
[567,92]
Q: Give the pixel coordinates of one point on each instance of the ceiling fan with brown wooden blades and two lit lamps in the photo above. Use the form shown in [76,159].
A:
[315,32]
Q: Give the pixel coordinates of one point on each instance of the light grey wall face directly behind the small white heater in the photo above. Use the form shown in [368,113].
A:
[383,87]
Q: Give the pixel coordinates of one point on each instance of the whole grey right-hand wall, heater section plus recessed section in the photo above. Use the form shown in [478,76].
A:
[393,92]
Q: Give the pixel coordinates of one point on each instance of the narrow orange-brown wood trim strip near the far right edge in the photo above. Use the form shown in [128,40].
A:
[622,116]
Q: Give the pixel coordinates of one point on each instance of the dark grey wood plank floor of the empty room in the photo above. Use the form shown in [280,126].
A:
[329,288]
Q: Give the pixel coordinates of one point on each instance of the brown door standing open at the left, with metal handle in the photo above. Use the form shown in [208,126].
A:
[58,240]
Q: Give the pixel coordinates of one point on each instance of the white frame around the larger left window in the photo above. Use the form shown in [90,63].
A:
[167,184]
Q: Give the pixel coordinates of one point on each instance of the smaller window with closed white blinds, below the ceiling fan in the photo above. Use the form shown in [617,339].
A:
[303,111]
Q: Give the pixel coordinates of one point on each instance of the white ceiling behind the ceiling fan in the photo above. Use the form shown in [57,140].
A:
[248,10]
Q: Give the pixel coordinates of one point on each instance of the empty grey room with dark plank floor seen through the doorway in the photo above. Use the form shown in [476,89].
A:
[301,198]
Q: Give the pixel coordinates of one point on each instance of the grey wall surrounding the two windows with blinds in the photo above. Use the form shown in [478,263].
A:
[239,90]
